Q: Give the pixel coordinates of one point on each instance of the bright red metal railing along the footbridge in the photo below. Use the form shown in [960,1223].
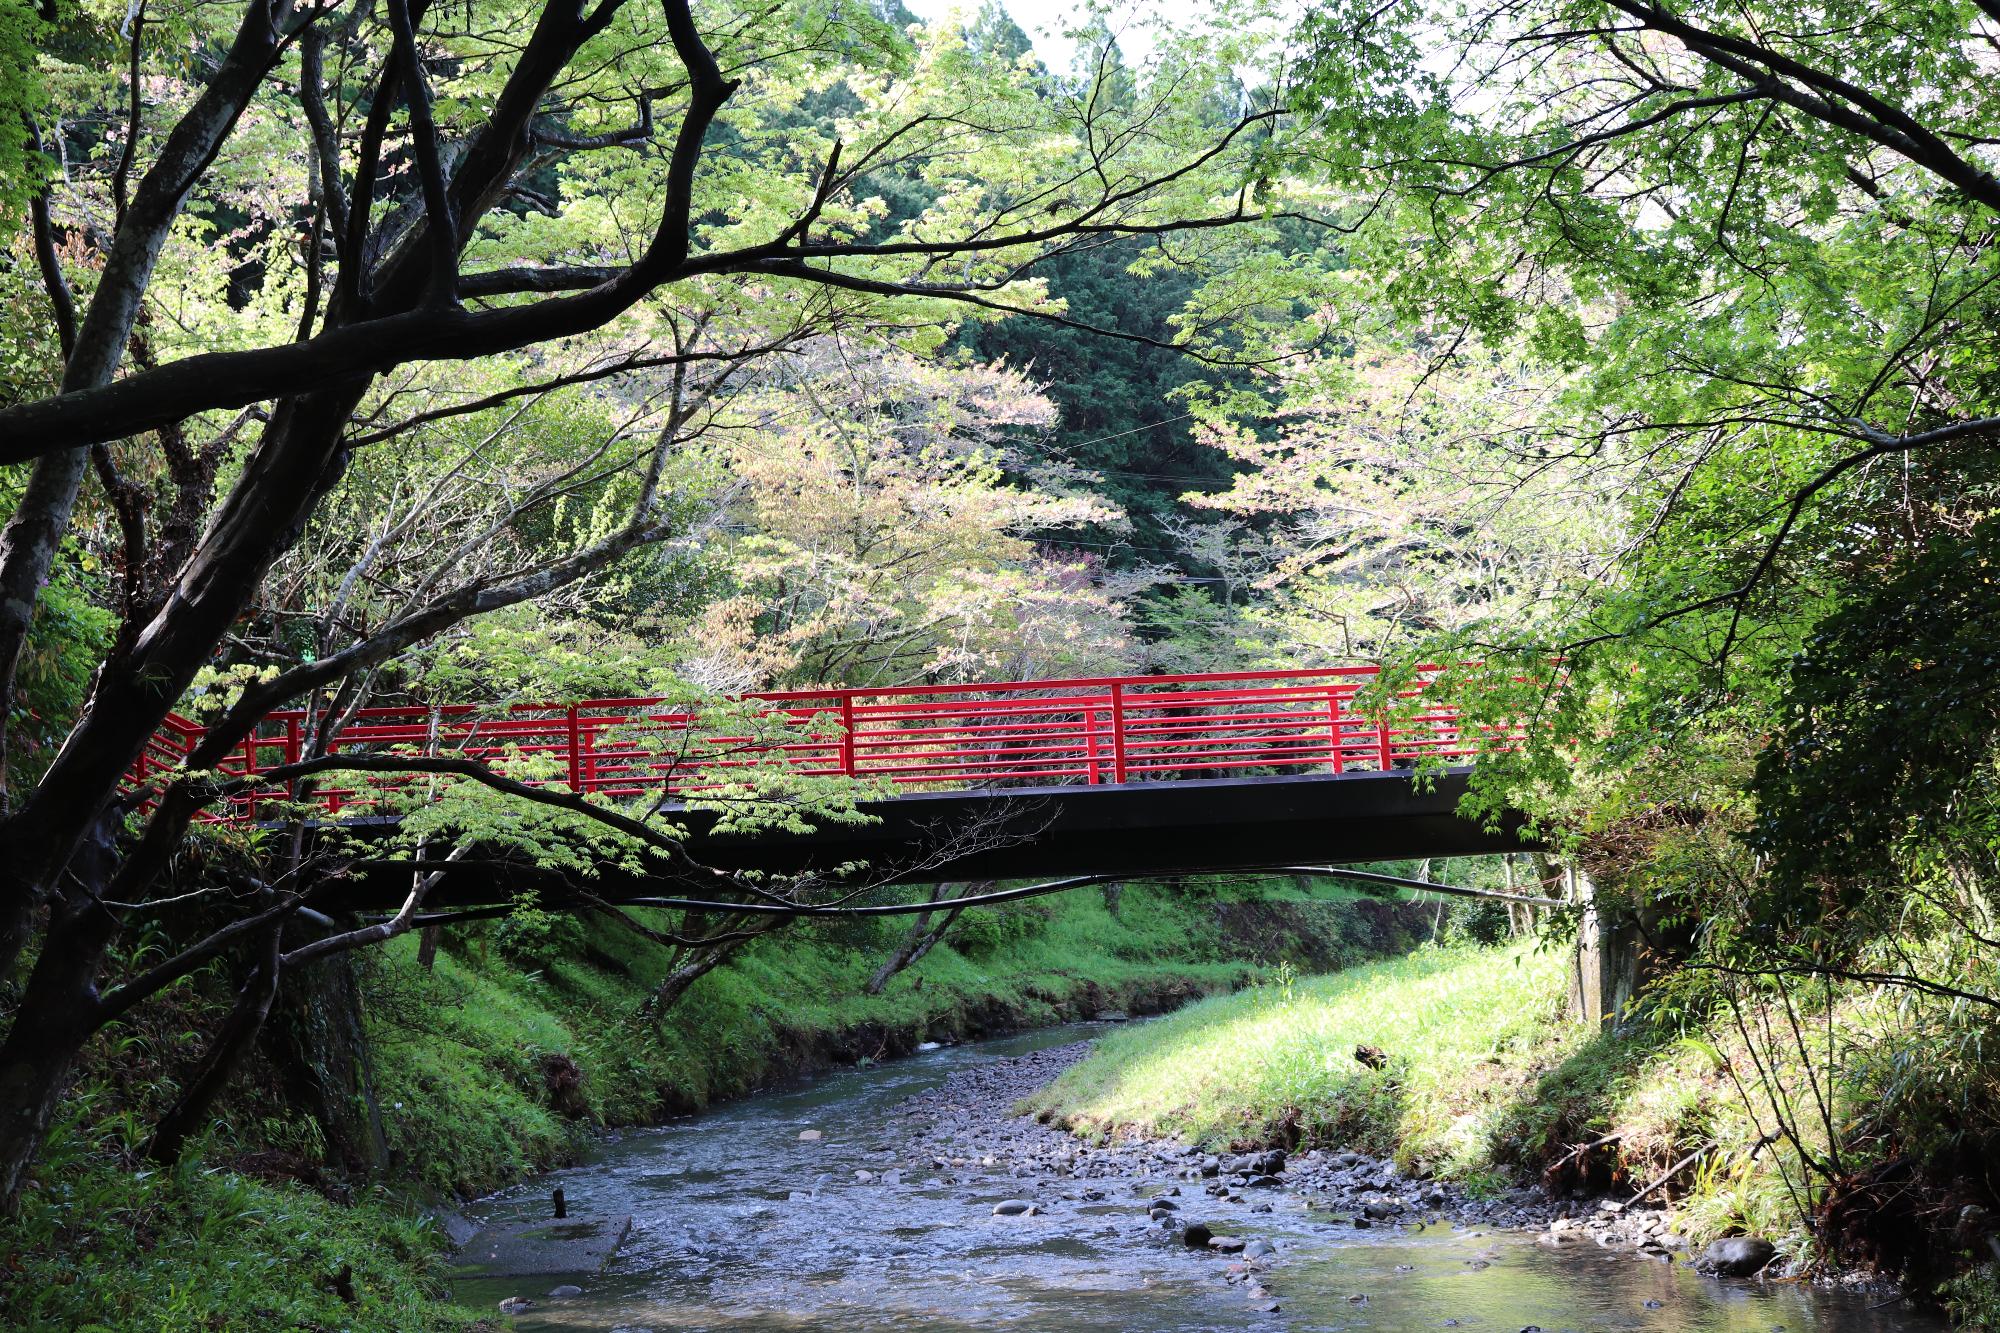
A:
[1099,732]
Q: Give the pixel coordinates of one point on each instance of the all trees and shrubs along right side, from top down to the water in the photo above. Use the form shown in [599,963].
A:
[1751,247]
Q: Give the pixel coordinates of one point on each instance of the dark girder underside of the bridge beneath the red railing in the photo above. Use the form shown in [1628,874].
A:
[1063,832]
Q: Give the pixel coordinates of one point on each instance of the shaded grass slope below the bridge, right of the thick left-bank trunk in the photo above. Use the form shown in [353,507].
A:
[459,1052]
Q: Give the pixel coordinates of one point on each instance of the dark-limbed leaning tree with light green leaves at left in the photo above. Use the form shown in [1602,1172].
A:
[317,233]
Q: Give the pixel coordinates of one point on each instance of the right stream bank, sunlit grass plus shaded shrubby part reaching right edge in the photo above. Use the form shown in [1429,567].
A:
[1487,1084]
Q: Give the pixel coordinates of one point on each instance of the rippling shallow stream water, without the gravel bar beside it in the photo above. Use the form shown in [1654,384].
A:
[737,1224]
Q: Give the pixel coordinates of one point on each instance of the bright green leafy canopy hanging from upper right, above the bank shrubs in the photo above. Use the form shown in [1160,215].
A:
[1753,249]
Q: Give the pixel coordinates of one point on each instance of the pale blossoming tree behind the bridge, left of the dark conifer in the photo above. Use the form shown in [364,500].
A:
[883,543]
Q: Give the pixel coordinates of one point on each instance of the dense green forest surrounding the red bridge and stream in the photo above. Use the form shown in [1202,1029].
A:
[383,355]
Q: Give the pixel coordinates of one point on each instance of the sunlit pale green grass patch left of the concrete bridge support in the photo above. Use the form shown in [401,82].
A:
[1463,1030]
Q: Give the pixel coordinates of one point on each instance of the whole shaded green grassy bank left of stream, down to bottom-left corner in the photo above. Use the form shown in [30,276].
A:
[525,1038]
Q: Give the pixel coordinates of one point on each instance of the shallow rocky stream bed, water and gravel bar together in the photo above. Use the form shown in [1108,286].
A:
[913,1194]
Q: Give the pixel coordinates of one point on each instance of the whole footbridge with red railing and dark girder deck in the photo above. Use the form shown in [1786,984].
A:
[1097,776]
